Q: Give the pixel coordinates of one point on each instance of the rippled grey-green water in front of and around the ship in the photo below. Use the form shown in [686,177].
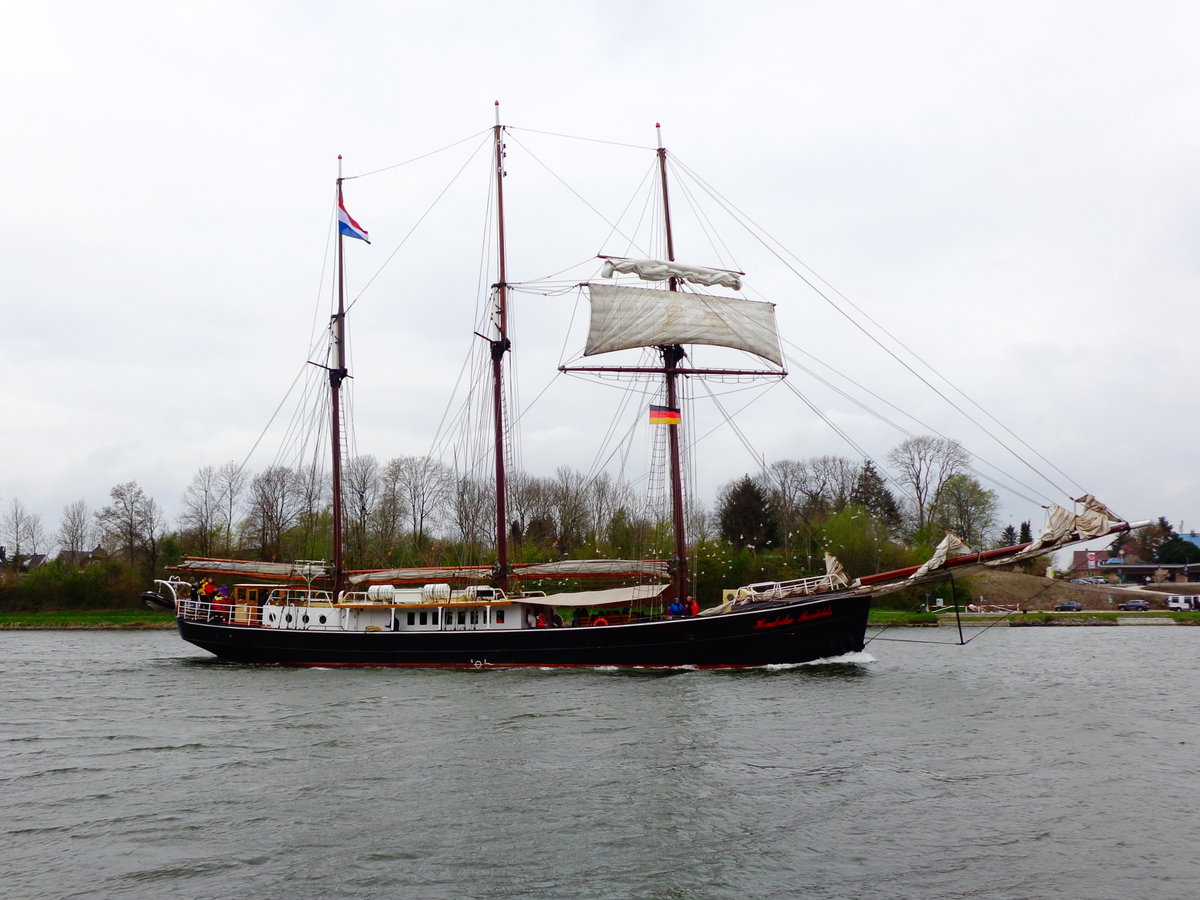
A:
[1031,764]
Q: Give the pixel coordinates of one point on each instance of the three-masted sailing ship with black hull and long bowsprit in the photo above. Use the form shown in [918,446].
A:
[322,615]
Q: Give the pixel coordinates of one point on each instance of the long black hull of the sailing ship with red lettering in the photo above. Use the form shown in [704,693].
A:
[775,634]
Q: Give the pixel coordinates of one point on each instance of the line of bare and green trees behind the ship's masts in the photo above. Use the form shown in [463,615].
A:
[416,511]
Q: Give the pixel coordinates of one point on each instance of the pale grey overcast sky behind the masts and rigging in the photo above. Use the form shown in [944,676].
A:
[1010,189]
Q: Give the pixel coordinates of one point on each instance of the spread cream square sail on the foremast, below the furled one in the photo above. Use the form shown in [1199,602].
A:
[623,319]
